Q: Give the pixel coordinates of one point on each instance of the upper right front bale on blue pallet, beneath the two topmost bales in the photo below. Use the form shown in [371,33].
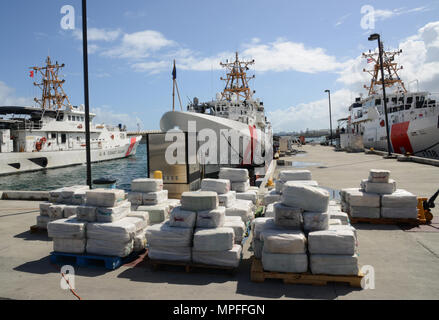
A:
[122,230]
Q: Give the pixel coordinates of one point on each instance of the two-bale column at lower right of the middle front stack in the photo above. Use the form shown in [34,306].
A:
[216,247]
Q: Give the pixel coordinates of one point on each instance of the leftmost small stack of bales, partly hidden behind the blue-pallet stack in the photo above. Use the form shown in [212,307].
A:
[62,204]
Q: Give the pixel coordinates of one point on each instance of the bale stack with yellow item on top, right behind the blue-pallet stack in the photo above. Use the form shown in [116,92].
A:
[148,195]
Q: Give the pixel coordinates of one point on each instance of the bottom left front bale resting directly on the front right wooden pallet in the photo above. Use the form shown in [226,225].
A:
[280,262]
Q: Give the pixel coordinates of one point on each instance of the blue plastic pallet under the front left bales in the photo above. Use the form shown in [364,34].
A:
[88,260]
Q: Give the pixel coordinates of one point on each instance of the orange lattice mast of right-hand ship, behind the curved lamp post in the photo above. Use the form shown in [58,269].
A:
[391,68]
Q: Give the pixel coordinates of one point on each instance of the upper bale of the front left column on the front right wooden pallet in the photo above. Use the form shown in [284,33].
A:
[285,241]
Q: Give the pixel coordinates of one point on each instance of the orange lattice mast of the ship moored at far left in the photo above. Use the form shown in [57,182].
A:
[53,95]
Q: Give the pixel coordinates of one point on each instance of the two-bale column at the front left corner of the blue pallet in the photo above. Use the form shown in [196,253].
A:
[68,235]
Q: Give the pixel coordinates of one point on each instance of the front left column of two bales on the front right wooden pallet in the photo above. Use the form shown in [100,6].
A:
[284,251]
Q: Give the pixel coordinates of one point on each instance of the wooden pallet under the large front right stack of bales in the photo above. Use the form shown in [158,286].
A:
[257,274]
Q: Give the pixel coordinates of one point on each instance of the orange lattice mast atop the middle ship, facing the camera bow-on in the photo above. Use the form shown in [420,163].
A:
[237,80]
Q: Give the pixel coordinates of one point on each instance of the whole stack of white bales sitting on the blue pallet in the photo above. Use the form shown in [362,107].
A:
[102,226]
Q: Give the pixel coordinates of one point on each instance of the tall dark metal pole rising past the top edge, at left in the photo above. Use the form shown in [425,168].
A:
[86,101]
